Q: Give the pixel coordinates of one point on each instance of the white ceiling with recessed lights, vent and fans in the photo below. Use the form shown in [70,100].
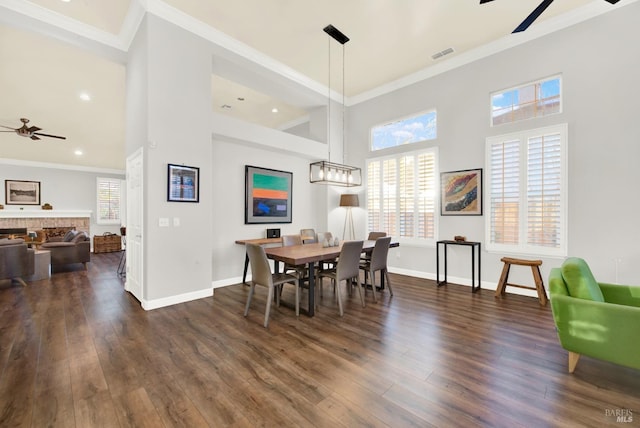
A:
[45,66]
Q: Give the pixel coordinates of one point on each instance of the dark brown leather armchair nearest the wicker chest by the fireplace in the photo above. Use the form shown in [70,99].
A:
[73,247]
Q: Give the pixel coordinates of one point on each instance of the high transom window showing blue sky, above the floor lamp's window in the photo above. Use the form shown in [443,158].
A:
[404,131]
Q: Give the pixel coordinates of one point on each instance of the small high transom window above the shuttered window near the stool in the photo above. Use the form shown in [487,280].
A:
[534,99]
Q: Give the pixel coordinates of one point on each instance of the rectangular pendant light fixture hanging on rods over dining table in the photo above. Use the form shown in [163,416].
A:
[327,172]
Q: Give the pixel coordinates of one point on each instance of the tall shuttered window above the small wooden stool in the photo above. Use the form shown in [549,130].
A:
[527,179]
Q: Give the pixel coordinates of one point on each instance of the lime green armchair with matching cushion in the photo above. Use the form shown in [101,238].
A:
[595,319]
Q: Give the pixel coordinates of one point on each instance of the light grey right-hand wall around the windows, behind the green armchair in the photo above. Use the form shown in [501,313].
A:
[600,93]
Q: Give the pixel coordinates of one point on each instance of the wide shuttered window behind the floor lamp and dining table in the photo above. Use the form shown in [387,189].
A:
[401,195]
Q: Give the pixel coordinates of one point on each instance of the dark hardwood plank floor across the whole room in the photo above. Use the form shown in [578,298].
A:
[78,351]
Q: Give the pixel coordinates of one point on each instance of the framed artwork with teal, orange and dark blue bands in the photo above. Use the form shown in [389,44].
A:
[267,195]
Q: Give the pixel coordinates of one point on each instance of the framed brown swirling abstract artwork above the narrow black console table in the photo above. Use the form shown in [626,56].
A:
[461,192]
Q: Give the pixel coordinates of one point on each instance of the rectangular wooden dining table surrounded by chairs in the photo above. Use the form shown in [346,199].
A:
[310,254]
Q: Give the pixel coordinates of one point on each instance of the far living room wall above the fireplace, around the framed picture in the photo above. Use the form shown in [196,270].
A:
[65,189]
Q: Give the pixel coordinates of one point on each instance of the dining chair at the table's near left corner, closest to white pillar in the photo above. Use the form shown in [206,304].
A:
[261,275]
